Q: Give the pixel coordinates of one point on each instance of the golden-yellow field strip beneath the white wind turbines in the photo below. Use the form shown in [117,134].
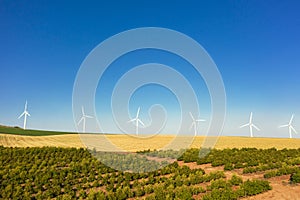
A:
[129,143]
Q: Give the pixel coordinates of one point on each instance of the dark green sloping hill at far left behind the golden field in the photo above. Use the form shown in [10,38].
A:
[19,131]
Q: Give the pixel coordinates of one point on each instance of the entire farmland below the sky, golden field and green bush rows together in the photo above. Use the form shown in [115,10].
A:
[58,166]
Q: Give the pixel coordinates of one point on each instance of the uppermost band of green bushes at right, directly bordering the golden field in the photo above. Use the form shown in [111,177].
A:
[241,158]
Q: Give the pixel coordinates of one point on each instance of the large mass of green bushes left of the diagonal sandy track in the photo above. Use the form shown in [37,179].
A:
[70,173]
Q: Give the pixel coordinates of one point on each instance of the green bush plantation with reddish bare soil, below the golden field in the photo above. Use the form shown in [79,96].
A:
[68,173]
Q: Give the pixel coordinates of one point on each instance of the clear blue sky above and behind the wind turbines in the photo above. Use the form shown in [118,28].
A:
[255,45]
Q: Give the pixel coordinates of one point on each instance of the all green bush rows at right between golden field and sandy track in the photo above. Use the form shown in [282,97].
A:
[271,161]
